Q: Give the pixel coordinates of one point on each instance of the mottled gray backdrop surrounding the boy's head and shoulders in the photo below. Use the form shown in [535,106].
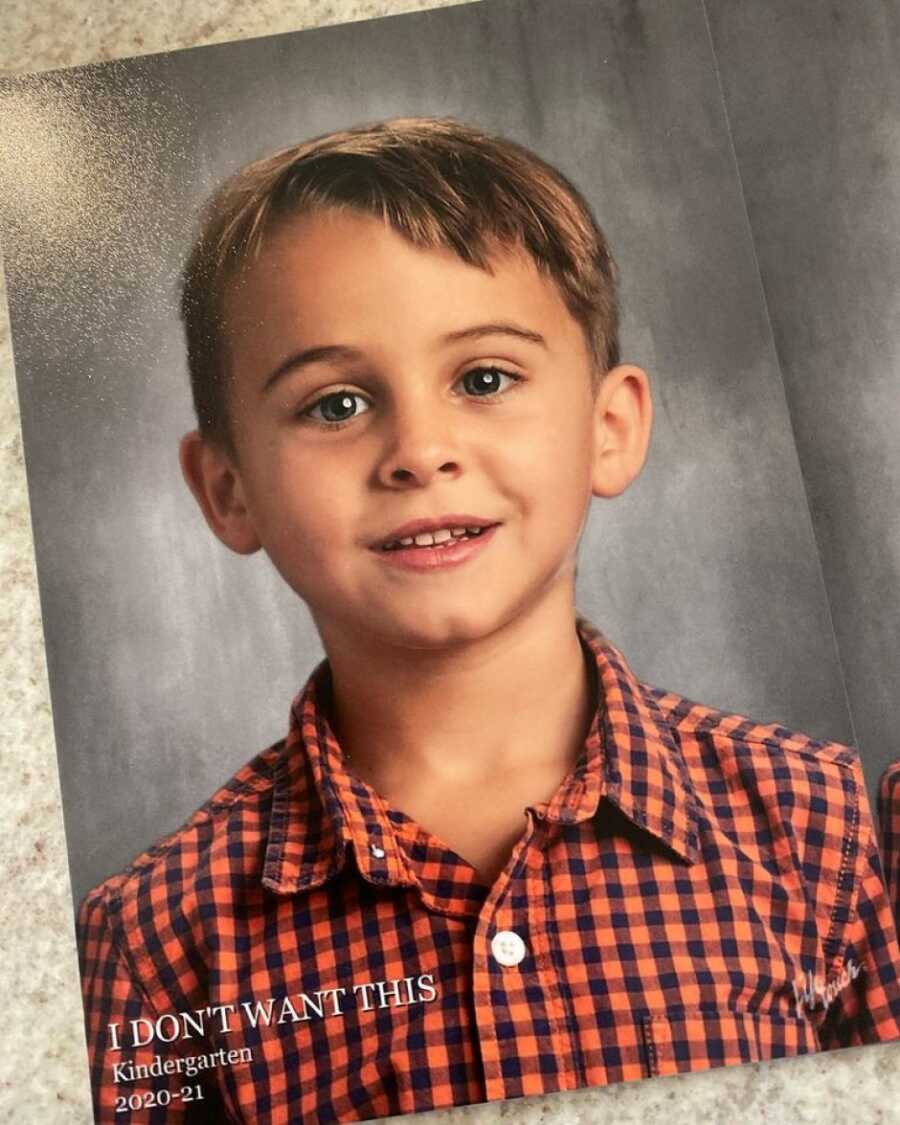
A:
[172,661]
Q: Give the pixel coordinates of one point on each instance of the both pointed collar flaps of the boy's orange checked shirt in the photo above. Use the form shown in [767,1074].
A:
[322,813]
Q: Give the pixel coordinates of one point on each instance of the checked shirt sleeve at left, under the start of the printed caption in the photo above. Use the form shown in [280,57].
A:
[113,998]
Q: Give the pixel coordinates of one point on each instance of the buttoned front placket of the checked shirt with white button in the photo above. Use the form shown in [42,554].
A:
[520,1004]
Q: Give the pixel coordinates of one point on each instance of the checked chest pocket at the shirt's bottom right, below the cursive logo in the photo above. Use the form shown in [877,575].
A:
[700,1040]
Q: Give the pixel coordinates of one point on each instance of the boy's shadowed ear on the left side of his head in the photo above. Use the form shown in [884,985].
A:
[217,485]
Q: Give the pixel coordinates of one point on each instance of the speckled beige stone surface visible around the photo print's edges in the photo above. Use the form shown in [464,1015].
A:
[43,1072]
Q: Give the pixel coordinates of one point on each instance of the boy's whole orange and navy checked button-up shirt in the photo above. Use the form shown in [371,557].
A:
[700,892]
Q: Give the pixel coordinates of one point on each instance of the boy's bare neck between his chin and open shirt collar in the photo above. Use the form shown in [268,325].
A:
[521,698]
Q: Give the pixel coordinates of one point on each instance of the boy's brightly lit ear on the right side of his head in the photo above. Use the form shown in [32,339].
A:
[623,421]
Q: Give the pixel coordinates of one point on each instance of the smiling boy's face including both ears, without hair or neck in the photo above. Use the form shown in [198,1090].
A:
[381,394]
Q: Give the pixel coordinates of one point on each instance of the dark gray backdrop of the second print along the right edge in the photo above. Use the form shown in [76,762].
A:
[813,92]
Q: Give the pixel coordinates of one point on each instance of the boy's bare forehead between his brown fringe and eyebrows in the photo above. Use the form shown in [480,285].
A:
[354,275]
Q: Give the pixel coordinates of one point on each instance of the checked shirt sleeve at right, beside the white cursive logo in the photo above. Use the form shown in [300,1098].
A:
[863,1000]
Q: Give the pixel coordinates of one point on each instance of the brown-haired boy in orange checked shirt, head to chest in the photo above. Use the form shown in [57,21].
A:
[485,862]
